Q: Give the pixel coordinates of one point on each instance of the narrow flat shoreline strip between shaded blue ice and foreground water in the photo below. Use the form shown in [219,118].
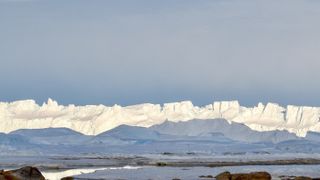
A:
[67,163]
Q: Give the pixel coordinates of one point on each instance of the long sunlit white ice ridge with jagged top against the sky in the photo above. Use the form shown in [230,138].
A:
[95,119]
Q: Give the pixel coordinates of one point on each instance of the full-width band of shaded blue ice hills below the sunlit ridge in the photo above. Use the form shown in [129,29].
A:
[213,137]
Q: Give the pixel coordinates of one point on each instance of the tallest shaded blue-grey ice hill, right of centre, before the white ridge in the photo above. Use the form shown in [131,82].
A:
[234,131]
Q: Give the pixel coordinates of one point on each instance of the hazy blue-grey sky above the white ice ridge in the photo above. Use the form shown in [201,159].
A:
[156,51]
